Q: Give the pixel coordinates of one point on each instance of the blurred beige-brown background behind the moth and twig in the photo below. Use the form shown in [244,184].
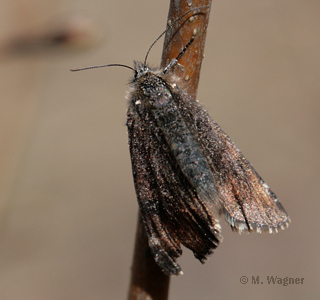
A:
[68,208]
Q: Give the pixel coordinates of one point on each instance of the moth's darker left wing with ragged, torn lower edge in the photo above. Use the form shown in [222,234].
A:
[170,208]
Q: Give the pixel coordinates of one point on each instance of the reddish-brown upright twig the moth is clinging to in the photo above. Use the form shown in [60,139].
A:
[147,280]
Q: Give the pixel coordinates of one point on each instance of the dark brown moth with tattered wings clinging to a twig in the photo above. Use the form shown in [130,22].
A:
[187,172]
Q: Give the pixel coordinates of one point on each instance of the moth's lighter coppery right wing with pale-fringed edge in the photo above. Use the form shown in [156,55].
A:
[247,201]
